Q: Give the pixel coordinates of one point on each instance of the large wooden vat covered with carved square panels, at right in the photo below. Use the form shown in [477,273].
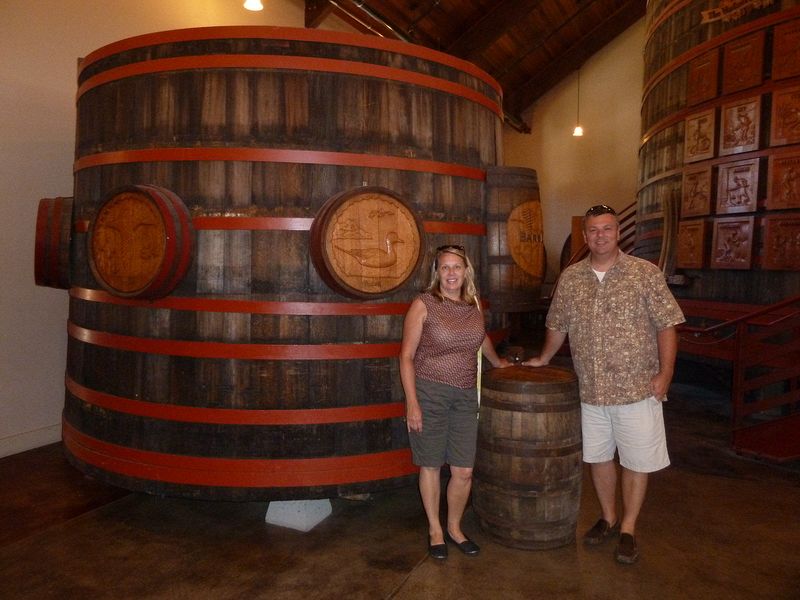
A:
[719,201]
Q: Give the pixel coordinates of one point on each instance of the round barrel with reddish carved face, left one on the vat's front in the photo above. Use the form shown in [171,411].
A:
[140,242]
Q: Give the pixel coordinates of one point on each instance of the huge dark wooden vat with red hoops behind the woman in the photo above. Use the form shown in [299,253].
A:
[261,375]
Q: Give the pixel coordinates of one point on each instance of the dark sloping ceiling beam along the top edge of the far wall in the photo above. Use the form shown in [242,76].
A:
[520,98]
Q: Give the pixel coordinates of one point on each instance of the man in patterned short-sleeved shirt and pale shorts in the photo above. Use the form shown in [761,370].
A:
[620,317]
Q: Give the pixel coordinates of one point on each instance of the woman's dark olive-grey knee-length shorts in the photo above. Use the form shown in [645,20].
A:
[449,426]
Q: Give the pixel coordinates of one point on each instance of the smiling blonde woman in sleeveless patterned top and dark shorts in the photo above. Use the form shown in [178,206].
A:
[442,333]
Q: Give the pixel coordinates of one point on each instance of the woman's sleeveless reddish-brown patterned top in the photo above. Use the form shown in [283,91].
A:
[451,336]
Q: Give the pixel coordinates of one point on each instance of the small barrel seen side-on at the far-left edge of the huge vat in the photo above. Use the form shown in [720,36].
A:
[53,237]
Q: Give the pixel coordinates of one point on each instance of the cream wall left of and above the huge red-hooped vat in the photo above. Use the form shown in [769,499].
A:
[40,42]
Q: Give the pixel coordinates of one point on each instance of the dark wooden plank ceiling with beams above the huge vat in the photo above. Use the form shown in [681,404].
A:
[528,46]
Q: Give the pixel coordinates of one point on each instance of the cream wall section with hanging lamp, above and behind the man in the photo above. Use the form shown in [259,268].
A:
[600,167]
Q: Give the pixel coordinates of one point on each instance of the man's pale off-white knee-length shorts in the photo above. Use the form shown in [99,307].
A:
[635,430]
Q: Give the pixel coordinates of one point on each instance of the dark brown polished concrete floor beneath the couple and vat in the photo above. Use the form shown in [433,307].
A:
[714,525]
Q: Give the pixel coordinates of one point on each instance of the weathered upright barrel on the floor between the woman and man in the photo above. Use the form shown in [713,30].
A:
[527,479]
